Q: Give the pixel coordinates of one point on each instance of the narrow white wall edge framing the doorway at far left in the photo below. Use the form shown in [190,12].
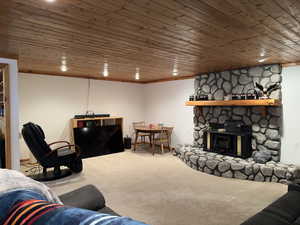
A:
[14,111]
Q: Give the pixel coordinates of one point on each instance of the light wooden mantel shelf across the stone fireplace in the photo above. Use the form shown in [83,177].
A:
[256,102]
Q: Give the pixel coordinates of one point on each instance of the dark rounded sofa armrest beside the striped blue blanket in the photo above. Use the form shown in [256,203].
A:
[86,197]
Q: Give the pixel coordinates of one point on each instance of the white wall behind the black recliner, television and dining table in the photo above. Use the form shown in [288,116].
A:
[52,101]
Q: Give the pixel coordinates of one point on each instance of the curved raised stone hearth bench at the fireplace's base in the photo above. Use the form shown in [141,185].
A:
[231,167]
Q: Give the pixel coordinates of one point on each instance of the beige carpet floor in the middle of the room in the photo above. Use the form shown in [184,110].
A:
[162,190]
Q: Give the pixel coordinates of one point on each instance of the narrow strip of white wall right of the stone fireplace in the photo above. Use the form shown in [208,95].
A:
[290,147]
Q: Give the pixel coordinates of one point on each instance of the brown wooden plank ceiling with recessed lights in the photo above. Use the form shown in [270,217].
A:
[200,35]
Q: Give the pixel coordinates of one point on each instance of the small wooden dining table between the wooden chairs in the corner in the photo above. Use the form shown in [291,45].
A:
[151,130]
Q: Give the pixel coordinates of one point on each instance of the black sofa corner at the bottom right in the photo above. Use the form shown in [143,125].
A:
[284,211]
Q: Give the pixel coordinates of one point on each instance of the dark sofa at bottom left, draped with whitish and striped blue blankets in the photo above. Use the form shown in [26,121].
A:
[28,202]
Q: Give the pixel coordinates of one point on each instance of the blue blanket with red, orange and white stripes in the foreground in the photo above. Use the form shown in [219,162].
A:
[31,208]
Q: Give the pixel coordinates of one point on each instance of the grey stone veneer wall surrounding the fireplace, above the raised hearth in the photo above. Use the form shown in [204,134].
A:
[266,129]
